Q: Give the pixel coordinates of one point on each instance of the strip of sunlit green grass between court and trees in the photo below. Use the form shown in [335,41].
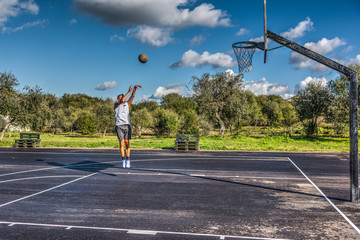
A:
[244,143]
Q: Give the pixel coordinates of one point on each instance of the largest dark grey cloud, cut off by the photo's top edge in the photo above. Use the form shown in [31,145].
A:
[154,13]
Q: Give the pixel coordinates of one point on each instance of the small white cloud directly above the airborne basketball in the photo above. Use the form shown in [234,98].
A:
[153,36]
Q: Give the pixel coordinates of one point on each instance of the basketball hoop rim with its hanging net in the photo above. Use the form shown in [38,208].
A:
[244,52]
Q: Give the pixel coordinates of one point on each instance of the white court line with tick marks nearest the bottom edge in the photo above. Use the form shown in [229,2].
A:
[133,231]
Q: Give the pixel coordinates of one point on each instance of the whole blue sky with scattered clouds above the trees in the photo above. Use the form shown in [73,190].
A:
[91,46]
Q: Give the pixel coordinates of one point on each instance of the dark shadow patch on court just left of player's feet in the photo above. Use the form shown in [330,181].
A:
[88,166]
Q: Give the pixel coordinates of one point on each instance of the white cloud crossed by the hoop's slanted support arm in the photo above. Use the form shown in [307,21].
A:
[323,47]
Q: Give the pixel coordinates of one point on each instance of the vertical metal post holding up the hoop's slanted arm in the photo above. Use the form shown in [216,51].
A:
[354,156]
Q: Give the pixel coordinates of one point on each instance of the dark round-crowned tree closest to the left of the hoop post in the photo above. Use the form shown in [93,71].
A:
[311,103]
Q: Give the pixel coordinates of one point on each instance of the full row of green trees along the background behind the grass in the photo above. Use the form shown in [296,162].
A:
[218,102]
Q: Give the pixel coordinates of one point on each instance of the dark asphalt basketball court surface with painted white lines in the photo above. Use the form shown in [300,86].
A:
[86,194]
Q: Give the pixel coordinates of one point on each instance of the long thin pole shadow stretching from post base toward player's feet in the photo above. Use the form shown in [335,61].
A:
[238,183]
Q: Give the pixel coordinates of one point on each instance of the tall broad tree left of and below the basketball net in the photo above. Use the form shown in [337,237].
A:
[219,97]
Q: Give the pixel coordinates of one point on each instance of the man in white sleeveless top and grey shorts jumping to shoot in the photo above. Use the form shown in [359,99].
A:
[122,124]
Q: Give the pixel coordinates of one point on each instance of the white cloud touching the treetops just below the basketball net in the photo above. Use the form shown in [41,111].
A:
[263,87]
